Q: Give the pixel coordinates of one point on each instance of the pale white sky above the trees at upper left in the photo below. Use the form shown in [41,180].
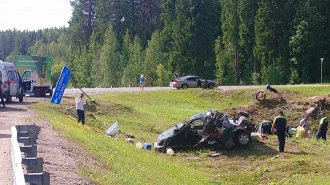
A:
[34,14]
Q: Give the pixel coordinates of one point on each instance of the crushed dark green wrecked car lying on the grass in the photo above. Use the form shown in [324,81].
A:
[212,128]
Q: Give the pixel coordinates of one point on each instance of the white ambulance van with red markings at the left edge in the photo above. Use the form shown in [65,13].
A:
[12,83]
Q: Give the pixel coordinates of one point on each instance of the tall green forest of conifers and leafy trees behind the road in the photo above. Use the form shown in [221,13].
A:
[236,42]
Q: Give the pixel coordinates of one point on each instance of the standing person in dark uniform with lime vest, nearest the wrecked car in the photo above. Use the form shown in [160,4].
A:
[280,125]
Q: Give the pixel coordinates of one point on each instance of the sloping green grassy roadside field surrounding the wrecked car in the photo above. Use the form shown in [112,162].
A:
[146,114]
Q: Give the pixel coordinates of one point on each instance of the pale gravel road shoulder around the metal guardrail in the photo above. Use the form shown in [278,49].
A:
[62,157]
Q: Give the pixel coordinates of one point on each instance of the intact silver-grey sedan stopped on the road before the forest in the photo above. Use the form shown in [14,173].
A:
[191,81]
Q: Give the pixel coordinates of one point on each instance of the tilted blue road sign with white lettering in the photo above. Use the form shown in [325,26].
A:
[60,86]
